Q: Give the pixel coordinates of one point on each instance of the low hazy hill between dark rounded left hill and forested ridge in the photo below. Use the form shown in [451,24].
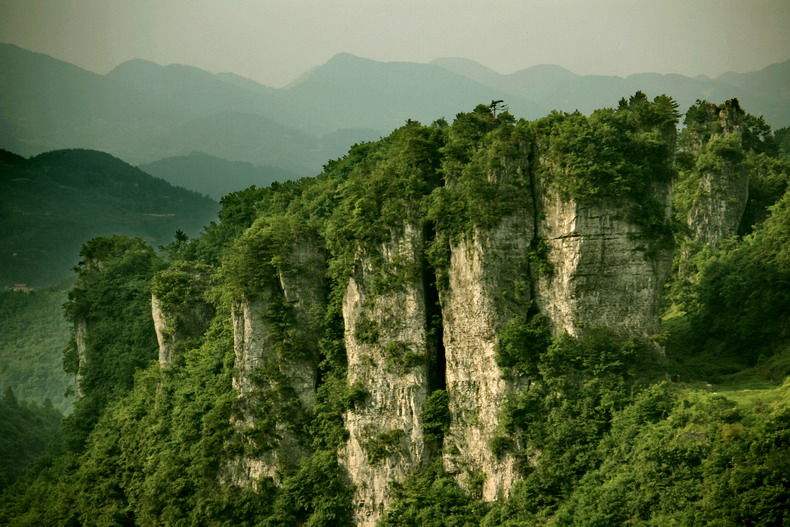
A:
[214,176]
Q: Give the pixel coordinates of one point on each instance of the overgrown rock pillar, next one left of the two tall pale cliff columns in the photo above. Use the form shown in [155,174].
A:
[285,393]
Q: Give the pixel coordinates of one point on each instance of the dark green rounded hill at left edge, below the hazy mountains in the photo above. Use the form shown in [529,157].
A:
[51,203]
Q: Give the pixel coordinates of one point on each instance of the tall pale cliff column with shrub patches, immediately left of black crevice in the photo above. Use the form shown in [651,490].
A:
[386,346]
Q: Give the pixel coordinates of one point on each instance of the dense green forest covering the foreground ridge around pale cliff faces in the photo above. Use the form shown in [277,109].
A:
[686,425]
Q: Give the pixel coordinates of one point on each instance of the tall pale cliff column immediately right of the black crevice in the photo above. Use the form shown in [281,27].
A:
[488,285]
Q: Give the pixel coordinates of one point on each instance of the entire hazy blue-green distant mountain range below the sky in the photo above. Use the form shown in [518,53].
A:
[142,111]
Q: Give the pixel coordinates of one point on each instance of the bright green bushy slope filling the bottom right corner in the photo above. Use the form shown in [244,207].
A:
[697,458]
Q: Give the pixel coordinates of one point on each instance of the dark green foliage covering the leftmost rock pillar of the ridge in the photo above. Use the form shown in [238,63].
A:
[111,299]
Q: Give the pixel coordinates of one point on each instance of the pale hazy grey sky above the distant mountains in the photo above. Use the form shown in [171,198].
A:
[275,41]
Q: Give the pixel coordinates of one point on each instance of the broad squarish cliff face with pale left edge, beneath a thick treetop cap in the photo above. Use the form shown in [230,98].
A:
[604,269]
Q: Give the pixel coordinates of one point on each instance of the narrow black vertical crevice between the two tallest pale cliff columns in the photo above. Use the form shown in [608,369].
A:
[433,318]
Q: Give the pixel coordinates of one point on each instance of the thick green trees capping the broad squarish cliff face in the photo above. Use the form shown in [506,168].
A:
[621,154]
